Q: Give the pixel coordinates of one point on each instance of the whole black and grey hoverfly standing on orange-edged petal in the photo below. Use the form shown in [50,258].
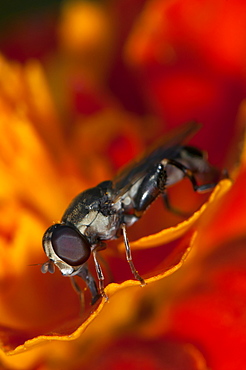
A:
[105,211]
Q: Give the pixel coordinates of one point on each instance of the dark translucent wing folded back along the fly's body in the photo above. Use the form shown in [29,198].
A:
[168,147]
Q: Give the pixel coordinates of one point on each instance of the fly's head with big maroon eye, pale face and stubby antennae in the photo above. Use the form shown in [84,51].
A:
[66,248]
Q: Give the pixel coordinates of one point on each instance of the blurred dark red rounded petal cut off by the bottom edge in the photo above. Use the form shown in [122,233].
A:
[138,353]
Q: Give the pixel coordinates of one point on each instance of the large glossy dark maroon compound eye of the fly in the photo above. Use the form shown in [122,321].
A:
[70,246]
